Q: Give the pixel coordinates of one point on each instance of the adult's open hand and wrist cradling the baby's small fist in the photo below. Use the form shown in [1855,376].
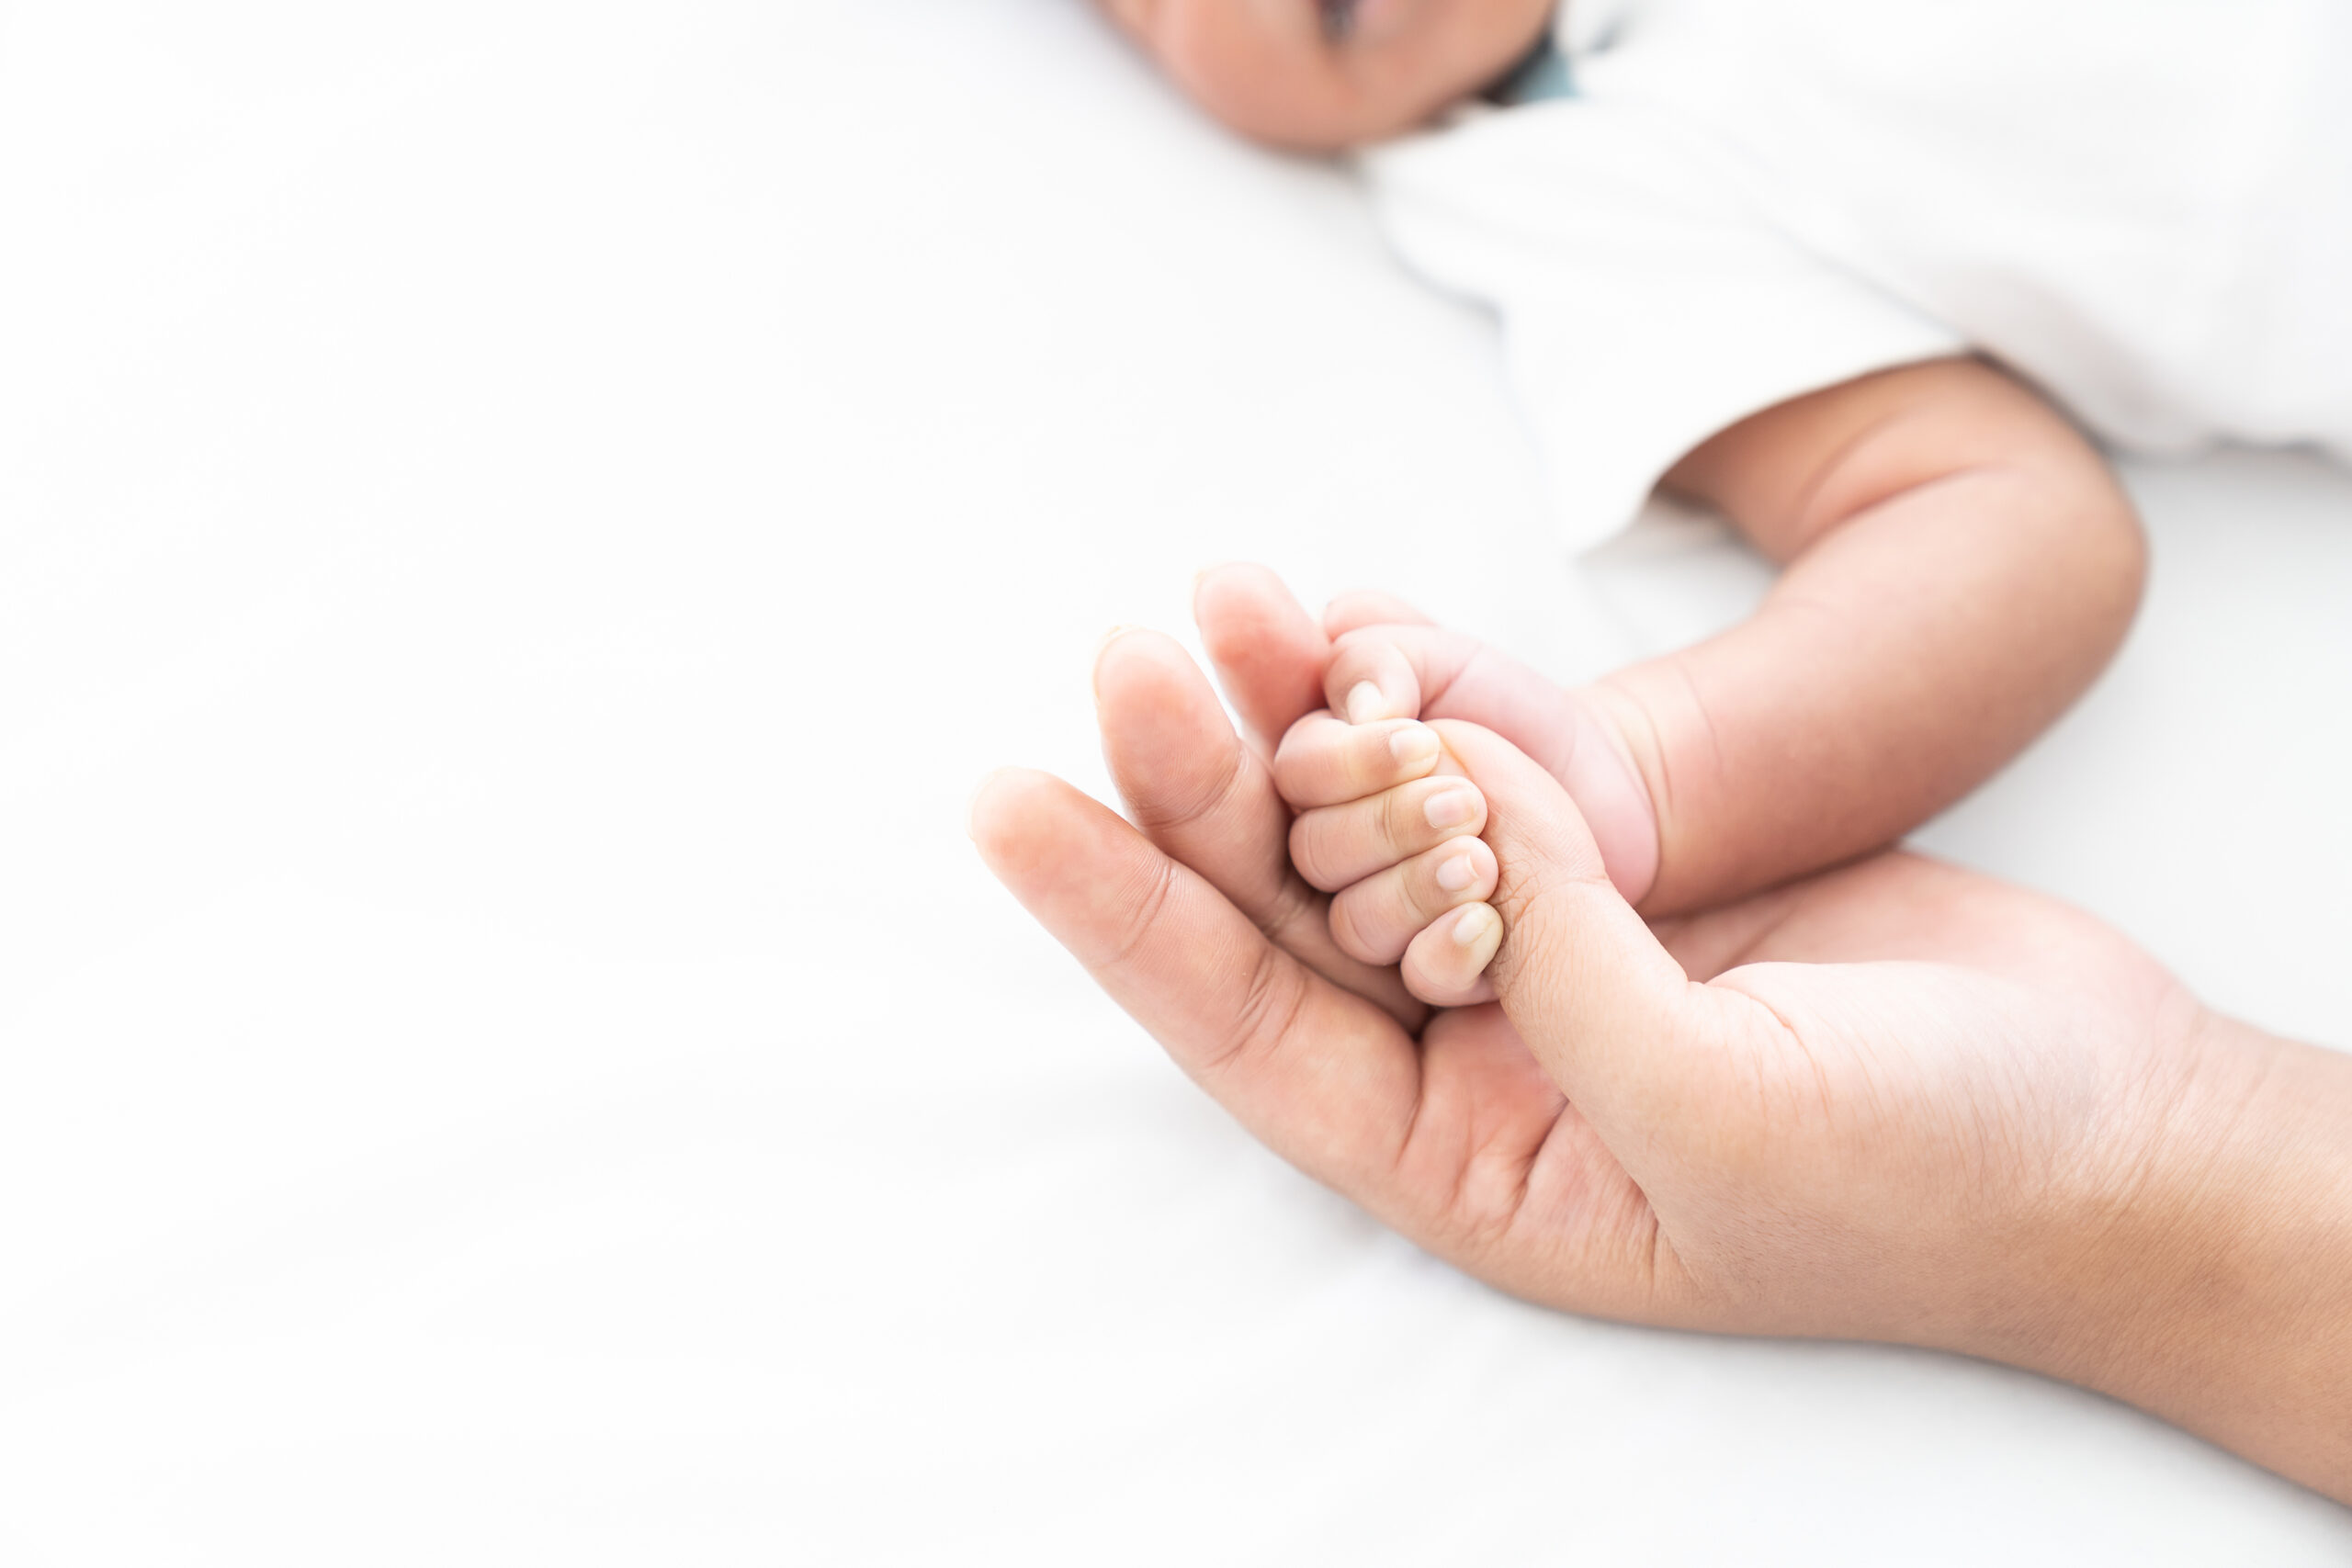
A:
[1897,1101]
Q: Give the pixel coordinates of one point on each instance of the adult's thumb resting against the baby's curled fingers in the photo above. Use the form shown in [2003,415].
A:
[1584,981]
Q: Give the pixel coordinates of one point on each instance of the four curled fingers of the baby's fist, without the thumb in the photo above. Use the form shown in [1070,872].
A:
[1389,826]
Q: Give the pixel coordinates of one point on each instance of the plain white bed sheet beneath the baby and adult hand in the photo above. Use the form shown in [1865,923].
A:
[521,528]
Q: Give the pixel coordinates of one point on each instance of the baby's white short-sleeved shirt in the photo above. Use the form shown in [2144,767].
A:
[2141,206]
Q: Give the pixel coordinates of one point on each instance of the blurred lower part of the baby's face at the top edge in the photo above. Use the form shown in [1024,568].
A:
[1332,74]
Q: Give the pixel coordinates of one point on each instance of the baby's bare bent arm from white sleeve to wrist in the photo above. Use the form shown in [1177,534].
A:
[1963,568]
